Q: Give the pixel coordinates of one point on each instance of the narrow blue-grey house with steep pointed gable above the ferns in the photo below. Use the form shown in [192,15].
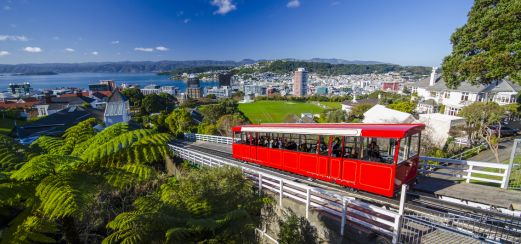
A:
[117,109]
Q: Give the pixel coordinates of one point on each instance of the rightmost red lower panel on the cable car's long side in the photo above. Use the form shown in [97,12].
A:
[377,178]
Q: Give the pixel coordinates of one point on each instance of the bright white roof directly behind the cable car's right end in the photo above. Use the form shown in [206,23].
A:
[380,114]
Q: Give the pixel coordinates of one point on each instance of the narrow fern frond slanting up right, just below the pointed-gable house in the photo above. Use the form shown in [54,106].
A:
[102,137]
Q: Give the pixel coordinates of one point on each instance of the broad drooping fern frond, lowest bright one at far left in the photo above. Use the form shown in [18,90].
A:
[66,195]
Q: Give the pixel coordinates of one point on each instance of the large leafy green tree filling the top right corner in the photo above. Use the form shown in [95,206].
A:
[488,46]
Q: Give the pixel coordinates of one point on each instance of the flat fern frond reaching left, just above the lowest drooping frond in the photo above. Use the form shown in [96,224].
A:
[44,165]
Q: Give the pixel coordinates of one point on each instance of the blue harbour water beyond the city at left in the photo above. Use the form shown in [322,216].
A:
[82,80]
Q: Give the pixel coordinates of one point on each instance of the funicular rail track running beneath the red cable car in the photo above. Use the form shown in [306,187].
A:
[463,220]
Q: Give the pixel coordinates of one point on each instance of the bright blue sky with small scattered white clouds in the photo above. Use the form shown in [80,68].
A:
[407,32]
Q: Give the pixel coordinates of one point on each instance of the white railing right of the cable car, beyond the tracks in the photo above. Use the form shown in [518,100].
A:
[465,169]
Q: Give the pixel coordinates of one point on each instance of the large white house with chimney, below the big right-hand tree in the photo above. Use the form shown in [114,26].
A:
[502,92]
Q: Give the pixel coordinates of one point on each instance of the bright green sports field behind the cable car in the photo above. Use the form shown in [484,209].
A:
[276,111]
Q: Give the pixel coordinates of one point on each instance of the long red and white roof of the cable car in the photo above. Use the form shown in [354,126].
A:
[340,129]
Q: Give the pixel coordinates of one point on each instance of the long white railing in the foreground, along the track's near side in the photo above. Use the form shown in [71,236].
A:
[373,217]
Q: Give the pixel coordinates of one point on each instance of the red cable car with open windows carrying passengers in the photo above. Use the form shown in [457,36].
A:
[376,158]
